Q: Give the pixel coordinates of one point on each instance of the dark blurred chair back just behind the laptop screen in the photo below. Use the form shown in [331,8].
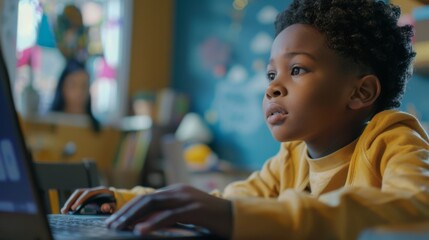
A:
[57,180]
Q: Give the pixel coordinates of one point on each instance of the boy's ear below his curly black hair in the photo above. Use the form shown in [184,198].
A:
[366,92]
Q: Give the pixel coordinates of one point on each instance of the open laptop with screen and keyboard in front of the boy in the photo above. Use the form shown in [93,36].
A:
[22,213]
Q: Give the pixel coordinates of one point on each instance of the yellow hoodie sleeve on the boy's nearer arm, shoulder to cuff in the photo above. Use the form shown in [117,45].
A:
[388,184]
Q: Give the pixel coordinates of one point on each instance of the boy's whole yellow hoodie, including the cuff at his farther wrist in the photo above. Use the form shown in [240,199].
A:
[380,178]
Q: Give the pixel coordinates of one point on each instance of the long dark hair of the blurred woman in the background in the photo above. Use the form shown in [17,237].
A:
[58,104]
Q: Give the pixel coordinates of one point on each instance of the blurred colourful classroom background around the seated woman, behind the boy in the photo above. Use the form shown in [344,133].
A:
[176,85]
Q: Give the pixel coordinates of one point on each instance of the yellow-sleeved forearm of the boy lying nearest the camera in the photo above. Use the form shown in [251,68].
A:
[296,215]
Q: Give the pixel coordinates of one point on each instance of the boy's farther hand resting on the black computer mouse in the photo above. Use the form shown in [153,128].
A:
[79,196]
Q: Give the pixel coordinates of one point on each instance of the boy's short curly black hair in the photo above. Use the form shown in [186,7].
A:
[365,31]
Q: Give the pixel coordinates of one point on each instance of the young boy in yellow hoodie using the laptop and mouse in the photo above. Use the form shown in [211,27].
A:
[347,161]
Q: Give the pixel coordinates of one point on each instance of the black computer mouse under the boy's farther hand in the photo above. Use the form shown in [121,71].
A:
[92,205]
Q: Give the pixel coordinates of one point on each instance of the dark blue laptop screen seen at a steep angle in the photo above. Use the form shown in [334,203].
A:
[15,187]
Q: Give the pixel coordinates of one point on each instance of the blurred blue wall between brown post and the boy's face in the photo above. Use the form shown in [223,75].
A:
[214,64]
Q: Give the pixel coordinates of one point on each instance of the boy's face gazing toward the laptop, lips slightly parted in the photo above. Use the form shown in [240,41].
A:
[309,87]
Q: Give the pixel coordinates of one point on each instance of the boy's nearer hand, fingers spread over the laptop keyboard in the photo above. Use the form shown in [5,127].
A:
[177,203]
